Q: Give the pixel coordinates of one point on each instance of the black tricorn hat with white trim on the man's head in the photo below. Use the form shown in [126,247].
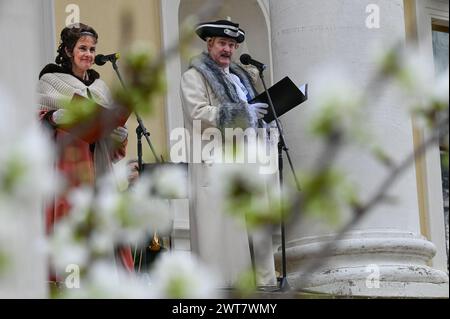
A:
[220,28]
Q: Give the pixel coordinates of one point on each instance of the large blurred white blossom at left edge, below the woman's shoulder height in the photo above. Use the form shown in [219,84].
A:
[26,157]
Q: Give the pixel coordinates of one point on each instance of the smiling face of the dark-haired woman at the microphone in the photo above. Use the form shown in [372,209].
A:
[83,55]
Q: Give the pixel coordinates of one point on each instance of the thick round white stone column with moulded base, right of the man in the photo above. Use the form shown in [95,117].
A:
[387,243]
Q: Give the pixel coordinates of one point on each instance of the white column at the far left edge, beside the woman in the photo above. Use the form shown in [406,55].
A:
[28,43]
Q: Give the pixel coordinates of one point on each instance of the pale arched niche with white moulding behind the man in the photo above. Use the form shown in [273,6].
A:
[254,19]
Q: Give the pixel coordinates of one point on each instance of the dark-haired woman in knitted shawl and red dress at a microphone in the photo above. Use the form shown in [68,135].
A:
[78,161]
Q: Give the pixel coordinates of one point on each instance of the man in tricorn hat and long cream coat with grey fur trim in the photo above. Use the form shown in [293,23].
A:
[215,92]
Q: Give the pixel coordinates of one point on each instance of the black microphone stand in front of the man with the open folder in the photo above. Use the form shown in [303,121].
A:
[282,146]
